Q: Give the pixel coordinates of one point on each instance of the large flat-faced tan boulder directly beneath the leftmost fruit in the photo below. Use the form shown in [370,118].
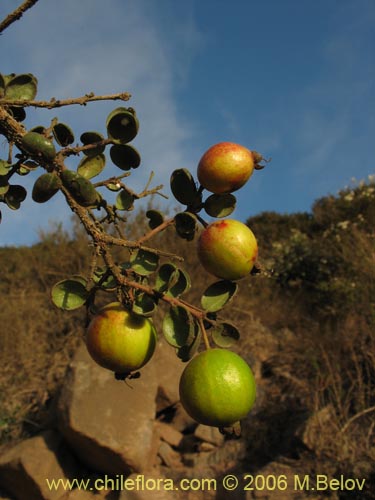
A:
[108,423]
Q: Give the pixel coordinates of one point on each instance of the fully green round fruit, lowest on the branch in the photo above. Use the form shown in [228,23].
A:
[217,388]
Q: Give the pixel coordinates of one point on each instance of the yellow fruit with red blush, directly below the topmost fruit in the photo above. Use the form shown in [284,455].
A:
[227,249]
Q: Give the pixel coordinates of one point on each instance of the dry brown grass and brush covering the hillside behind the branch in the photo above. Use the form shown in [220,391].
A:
[307,324]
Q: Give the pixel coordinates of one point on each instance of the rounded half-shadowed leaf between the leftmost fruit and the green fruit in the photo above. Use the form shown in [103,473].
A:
[178,327]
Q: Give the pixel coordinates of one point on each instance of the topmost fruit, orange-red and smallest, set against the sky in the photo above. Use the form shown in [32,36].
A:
[225,167]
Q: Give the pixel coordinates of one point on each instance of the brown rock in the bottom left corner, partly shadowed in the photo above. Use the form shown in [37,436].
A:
[25,468]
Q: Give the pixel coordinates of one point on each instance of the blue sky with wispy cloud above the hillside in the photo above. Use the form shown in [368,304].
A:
[292,79]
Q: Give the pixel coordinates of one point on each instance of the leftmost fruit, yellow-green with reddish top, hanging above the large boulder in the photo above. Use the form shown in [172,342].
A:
[120,340]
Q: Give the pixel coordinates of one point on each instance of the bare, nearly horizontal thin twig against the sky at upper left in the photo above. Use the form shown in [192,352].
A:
[58,103]
